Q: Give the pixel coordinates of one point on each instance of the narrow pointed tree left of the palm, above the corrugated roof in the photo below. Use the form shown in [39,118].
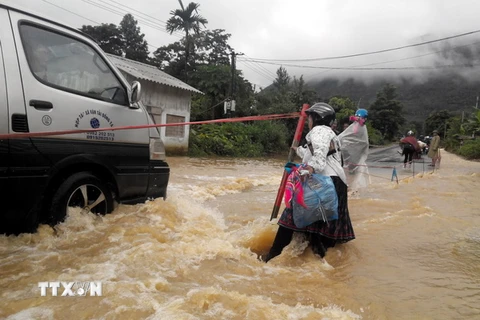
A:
[134,45]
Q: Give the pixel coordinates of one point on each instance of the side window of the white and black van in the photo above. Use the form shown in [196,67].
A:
[71,65]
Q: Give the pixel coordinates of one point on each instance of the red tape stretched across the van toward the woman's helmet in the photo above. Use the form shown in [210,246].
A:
[64,132]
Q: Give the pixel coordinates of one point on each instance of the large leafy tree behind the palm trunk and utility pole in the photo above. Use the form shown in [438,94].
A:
[212,74]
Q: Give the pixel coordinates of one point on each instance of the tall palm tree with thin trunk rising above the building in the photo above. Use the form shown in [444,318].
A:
[185,19]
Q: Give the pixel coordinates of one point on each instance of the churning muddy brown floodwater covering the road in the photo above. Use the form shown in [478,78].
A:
[194,256]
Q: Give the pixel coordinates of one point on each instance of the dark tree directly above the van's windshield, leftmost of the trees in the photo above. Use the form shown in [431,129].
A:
[108,36]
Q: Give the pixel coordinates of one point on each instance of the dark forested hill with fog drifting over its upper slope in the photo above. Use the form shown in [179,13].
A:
[440,76]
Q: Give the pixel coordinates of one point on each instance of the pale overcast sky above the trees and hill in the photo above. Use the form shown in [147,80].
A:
[295,29]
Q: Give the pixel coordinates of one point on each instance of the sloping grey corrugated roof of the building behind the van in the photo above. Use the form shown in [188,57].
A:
[146,72]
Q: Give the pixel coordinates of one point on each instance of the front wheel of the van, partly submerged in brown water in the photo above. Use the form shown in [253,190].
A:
[81,190]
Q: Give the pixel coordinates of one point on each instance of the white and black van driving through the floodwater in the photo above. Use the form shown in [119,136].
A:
[53,77]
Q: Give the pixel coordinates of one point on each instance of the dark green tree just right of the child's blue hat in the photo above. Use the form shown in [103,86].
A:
[385,113]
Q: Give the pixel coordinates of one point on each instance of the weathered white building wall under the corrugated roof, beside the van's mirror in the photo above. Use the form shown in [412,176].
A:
[161,100]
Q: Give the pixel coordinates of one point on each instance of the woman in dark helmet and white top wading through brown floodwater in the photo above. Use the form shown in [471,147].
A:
[321,155]
